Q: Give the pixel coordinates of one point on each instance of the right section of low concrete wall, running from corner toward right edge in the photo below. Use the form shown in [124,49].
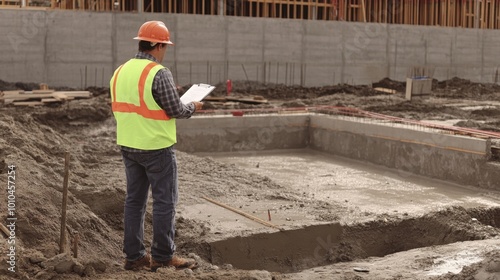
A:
[447,157]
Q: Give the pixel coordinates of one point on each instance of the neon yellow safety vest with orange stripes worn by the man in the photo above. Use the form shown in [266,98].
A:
[140,122]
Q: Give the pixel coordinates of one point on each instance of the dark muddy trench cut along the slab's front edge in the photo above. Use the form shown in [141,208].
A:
[321,245]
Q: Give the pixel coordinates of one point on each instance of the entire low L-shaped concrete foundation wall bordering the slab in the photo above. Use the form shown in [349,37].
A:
[459,159]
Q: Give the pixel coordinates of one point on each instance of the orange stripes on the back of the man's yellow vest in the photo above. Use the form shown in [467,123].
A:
[142,109]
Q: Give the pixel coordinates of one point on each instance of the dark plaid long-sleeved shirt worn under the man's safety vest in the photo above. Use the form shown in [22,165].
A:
[166,96]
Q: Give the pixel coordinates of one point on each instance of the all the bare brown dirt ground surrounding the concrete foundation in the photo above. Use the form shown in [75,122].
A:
[35,141]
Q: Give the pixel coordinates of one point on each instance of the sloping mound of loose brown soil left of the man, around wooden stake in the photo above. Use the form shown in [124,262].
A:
[37,151]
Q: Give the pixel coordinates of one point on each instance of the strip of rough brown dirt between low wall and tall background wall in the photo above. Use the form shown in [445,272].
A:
[436,106]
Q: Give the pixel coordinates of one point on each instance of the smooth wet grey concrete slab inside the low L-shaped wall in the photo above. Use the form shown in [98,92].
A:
[368,187]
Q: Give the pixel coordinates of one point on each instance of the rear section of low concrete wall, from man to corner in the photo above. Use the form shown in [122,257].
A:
[249,133]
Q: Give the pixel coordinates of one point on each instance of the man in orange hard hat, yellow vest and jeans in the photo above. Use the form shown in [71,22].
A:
[145,104]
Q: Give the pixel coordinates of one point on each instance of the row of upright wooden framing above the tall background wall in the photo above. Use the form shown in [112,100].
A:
[450,13]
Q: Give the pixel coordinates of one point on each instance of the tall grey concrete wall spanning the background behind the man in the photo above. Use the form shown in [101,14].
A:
[79,49]
